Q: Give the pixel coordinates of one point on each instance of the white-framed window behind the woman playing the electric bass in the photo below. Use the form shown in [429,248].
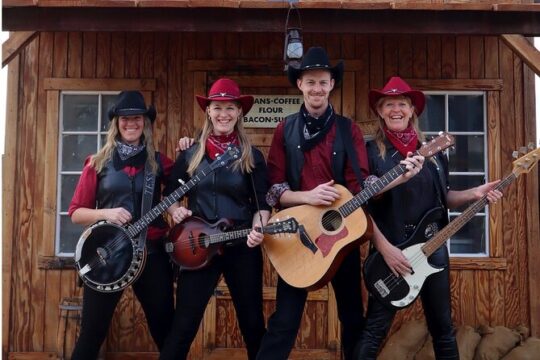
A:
[463,114]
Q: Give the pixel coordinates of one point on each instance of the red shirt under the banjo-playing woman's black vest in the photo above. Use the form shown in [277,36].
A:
[85,192]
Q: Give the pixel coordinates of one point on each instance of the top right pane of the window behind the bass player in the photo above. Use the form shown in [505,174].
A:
[466,113]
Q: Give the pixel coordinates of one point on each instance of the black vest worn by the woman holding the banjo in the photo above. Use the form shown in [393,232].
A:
[118,189]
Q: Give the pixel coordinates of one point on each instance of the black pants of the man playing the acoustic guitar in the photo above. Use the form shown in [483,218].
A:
[284,323]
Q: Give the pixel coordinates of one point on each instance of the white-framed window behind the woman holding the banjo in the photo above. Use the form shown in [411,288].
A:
[83,127]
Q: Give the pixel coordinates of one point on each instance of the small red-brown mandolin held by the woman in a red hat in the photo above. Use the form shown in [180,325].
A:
[194,243]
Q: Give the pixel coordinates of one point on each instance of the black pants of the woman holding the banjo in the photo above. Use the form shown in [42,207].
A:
[154,290]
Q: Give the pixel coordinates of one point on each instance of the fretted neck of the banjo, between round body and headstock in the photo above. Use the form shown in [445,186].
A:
[160,208]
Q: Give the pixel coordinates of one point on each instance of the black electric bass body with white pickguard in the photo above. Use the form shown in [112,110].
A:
[400,291]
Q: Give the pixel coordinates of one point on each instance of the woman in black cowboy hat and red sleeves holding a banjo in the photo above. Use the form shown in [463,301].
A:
[110,188]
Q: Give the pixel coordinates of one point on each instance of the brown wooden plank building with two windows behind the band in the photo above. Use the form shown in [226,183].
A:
[67,58]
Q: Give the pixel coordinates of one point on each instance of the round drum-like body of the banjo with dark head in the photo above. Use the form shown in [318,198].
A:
[107,258]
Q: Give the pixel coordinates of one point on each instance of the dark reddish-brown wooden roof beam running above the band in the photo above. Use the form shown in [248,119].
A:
[520,20]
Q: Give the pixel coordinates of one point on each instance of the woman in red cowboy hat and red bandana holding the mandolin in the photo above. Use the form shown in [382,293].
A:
[235,193]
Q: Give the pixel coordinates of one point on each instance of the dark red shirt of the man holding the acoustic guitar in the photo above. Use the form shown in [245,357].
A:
[317,161]
